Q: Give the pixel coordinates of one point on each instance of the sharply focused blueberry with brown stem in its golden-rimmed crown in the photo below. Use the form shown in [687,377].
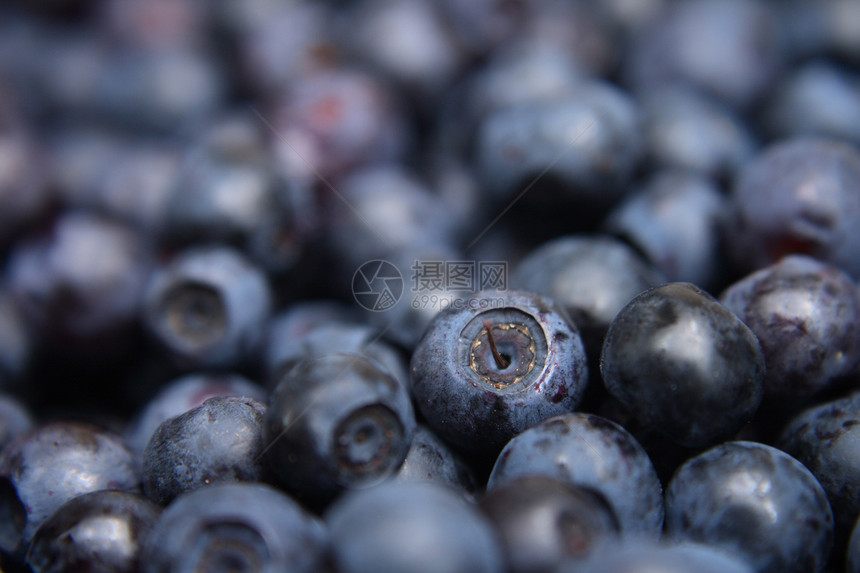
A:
[477,402]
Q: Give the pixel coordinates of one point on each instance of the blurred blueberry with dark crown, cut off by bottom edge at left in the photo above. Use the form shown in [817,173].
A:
[234,527]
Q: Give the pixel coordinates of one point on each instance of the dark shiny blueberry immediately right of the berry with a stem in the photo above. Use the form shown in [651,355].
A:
[684,365]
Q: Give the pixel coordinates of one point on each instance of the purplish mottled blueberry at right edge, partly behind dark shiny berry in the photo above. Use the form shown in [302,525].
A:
[806,315]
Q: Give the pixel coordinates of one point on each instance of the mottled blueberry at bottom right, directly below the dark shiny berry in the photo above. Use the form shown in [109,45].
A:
[755,501]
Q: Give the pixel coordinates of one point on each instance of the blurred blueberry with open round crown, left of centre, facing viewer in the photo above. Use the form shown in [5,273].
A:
[208,307]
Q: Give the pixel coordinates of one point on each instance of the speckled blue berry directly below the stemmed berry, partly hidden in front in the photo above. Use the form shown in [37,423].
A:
[592,452]
